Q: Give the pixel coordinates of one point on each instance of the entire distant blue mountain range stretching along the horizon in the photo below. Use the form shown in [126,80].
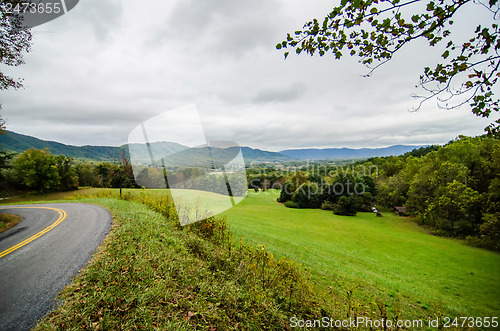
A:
[178,153]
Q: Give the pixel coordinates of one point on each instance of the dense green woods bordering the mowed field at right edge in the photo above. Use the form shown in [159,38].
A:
[454,190]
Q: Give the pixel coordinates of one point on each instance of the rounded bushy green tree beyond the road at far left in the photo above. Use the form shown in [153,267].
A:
[37,169]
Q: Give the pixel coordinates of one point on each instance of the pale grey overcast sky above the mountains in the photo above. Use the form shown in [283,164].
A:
[96,73]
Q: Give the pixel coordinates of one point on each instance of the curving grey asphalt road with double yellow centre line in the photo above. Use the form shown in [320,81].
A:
[41,254]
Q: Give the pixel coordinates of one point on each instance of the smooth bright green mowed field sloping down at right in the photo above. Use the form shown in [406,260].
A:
[386,257]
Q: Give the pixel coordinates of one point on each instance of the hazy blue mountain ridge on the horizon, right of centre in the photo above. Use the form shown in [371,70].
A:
[347,153]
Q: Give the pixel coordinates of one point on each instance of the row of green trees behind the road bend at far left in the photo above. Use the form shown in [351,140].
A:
[41,171]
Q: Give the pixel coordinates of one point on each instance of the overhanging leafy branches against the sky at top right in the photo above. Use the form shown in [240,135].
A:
[375,30]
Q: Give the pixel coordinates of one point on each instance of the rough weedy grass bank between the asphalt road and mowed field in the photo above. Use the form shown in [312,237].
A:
[151,274]
